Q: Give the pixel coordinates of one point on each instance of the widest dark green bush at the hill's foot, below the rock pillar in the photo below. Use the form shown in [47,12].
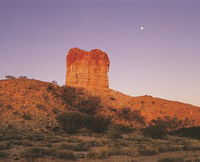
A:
[71,122]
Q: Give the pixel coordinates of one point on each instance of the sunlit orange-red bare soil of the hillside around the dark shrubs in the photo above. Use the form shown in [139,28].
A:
[31,103]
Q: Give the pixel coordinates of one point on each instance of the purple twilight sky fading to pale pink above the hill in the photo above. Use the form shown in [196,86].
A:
[163,60]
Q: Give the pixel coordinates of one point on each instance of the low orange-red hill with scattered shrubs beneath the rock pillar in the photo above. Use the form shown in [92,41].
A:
[33,104]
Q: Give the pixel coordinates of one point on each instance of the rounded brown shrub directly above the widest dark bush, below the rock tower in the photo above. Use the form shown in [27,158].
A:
[90,105]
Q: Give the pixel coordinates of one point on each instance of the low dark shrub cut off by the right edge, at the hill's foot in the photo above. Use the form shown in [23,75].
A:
[193,132]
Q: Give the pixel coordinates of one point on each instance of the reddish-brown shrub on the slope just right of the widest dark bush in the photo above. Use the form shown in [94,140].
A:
[127,114]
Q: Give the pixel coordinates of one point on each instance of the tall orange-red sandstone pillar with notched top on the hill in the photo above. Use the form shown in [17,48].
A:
[87,69]
